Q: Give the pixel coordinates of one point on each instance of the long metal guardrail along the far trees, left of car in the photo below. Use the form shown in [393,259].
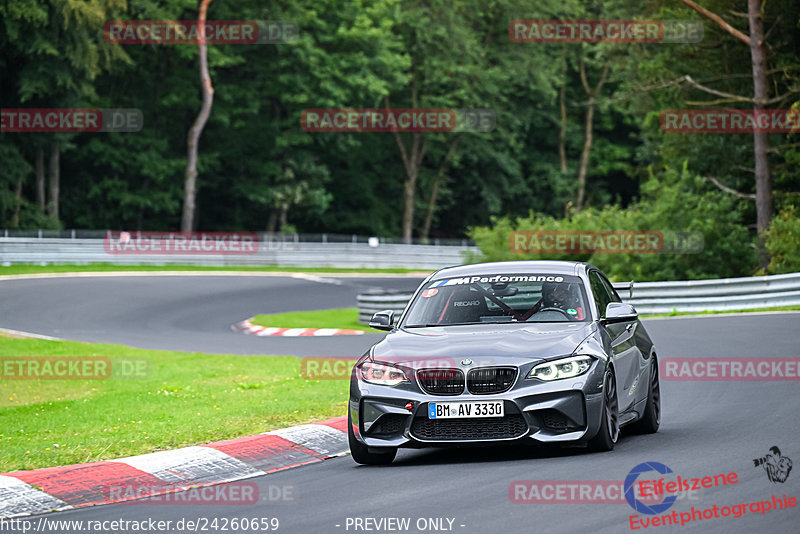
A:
[272,252]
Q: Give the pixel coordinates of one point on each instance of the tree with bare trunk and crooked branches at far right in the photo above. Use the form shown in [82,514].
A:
[664,77]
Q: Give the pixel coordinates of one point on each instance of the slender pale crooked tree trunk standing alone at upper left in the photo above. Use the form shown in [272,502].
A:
[193,139]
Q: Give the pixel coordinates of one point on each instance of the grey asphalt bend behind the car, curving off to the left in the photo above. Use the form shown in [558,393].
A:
[190,313]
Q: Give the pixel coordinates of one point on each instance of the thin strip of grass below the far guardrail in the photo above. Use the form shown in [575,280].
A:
[108,267]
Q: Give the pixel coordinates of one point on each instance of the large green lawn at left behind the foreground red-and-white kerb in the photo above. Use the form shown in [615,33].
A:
[187,399]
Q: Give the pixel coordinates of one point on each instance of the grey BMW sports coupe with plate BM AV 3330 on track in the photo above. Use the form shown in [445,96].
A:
[540,351]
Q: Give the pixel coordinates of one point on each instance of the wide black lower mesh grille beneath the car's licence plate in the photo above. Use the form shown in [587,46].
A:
[508,427]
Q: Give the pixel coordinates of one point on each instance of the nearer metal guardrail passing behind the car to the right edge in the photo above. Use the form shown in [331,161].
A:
[662,297]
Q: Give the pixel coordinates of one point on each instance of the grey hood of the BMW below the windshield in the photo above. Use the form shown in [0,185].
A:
[507,343]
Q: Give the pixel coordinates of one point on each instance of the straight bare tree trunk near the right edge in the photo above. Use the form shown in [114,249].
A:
[760,139]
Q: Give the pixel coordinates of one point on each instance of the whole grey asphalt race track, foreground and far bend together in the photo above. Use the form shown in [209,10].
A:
[708,427]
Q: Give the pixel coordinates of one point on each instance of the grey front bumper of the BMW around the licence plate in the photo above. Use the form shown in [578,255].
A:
[548,412]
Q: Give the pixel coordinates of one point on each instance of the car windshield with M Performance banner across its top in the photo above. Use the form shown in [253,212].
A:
[499,298]
